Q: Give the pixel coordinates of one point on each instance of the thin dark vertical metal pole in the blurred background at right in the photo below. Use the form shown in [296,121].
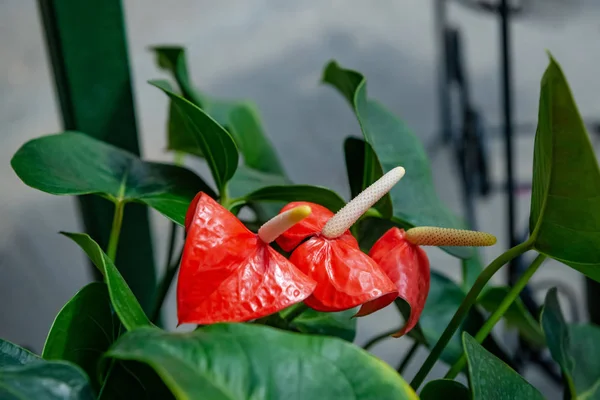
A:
[508,131]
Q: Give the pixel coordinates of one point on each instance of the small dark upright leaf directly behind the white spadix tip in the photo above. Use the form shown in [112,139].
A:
[363,169]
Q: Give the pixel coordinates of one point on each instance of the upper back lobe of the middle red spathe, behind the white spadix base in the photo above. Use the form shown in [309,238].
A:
[309,226]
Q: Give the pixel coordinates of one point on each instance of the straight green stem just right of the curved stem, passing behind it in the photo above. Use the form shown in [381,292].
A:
[496,315]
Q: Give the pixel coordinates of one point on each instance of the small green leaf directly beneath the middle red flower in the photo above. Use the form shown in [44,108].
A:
[337,324]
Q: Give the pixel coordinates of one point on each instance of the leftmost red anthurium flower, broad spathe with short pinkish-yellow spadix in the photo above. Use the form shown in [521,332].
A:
[229,273]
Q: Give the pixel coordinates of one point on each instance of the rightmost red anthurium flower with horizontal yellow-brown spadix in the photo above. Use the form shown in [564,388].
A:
[400,256]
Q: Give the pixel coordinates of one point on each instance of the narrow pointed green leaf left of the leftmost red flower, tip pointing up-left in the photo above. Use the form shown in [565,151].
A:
[124,302]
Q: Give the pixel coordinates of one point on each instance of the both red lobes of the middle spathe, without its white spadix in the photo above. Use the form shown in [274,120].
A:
[345,276]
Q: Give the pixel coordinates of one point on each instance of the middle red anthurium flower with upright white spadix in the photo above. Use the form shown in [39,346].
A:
[345,276]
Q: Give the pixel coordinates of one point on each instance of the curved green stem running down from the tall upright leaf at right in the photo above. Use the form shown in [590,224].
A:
[464,308]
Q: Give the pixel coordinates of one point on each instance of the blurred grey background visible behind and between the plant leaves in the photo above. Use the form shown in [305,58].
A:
[273,52]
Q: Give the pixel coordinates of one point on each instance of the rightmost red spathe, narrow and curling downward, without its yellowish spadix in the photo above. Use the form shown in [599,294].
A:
[407,266]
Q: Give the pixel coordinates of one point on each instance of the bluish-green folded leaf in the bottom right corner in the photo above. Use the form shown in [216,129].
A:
[575,347]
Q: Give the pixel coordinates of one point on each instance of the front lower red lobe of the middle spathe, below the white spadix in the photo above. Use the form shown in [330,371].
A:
[346,277]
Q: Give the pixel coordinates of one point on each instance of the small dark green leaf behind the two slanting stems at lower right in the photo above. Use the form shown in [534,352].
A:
[517,316]
